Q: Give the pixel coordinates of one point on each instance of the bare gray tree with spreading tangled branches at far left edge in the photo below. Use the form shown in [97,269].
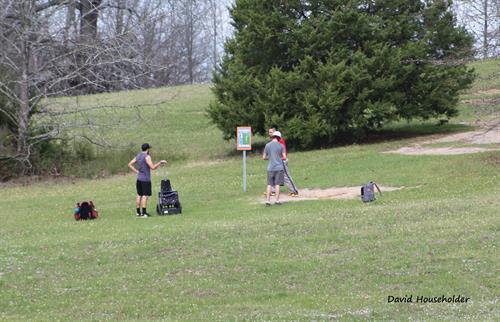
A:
[40,61]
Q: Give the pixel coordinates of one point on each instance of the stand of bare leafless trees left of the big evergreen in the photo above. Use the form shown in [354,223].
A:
[52,48]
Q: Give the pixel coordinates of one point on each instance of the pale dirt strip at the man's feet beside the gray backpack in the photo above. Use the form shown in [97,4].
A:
[329,193]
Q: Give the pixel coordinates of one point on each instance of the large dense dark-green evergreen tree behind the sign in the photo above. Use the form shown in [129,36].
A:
[327,70]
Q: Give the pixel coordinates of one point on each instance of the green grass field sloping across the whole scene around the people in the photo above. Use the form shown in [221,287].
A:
[227,257]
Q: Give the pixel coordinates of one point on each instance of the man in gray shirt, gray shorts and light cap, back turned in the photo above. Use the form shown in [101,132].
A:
[274,153]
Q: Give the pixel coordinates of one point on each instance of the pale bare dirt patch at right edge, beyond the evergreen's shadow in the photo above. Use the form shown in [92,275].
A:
[488,134]
